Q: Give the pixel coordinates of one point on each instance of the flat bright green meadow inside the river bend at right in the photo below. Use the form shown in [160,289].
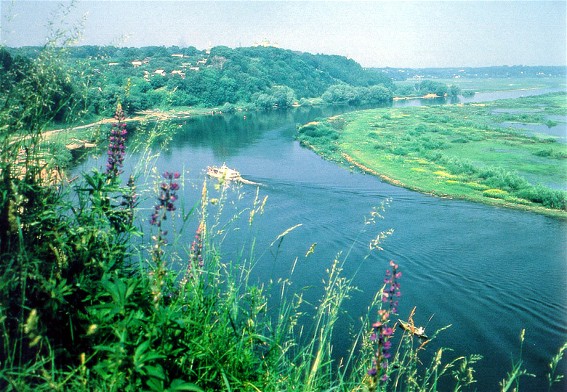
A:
[458,151]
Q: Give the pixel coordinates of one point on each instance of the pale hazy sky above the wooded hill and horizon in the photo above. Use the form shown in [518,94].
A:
[374,33]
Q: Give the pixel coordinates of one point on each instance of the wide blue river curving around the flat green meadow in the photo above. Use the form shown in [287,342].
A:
[489,272]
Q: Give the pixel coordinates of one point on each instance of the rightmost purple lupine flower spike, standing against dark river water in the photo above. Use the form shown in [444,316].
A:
[381,331]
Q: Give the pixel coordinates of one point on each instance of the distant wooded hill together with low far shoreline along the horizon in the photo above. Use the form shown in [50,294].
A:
[256,77]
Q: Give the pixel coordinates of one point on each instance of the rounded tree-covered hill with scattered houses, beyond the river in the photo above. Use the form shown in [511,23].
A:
[265,77]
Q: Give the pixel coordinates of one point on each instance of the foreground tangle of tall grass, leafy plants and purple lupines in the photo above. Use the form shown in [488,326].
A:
[87,304]
